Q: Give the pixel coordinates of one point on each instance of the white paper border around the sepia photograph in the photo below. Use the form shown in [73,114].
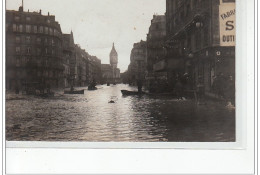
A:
[202,160]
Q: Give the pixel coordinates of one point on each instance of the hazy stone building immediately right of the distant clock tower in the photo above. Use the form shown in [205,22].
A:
[137,66]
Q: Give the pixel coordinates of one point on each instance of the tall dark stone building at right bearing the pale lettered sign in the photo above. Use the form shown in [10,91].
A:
[200,41]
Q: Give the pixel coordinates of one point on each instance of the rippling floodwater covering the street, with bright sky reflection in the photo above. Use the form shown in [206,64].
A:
[90,117]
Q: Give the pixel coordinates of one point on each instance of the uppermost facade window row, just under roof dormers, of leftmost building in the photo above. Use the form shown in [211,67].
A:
[35,29]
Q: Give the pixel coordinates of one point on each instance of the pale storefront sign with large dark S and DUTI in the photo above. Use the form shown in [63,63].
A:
[227,23]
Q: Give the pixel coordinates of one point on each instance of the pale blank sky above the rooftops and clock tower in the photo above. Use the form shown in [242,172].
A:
[96,24]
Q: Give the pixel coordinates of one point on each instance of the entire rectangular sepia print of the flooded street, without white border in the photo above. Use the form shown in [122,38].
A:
[124,71]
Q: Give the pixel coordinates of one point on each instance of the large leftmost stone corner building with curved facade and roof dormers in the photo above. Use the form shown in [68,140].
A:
[33,50]
